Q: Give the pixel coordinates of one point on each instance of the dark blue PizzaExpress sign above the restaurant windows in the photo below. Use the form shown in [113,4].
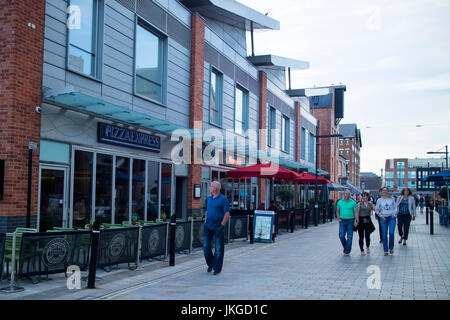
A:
[108,133]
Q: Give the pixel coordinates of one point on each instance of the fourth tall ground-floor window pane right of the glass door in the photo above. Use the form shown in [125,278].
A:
[138,190]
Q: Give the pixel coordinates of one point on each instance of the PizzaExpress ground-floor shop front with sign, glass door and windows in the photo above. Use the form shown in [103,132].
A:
[92,168]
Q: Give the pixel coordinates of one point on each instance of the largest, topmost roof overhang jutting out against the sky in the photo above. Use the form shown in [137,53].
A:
[232,13]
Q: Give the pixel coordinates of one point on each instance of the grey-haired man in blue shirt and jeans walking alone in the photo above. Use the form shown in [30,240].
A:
[217,214]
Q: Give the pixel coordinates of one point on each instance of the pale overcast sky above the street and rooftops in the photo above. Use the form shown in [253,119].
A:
[393,56]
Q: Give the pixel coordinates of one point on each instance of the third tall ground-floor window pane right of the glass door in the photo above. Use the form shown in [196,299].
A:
[122,190]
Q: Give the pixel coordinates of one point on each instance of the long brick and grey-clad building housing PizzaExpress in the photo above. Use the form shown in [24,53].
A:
[101,88]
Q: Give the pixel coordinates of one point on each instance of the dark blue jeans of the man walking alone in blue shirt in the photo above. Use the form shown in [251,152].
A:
[215,261]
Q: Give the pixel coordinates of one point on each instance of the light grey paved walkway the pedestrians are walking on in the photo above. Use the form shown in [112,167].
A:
[306,264]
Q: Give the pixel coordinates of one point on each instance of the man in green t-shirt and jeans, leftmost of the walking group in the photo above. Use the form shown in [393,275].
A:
[347,215]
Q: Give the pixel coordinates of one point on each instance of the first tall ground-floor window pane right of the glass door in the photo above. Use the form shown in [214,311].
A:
[82,188]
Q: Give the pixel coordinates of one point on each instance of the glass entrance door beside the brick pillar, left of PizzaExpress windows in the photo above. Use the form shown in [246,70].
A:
[52,198]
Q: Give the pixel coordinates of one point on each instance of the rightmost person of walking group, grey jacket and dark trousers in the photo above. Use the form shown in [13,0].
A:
[406,212]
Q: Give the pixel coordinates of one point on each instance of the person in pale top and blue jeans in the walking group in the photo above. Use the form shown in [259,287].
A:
[386,209]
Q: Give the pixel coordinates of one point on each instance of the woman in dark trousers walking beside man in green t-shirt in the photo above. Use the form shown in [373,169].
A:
[365,226]
